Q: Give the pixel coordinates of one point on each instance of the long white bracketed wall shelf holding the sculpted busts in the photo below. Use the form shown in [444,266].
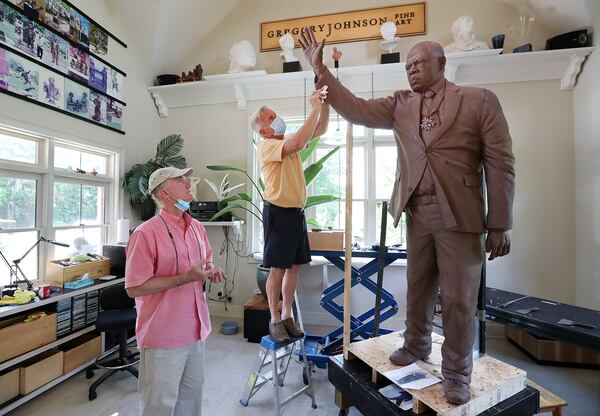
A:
[465,68]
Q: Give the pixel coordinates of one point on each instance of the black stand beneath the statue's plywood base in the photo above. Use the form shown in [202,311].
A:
[352,379]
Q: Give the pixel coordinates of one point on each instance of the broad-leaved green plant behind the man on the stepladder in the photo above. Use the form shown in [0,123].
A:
[244,201]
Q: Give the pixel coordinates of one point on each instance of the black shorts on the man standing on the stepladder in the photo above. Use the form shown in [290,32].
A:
[286,238]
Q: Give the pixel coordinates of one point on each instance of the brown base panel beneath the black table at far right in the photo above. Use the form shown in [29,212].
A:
[543,349]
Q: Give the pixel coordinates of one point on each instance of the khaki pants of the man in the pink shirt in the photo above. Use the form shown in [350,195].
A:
[171,380]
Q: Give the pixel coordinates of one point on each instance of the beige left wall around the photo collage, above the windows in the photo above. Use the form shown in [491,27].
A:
[140,120]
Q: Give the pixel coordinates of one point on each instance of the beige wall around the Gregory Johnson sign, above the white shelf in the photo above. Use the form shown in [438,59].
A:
[491,17]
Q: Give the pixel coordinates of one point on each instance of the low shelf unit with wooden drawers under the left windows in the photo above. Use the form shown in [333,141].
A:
[38,354]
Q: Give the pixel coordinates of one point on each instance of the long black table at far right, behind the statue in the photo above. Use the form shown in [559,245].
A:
[544,322]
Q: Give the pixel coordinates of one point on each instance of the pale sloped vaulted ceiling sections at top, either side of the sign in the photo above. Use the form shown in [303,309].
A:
[166,31]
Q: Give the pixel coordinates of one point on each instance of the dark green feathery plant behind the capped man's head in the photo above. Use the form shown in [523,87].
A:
[135,180]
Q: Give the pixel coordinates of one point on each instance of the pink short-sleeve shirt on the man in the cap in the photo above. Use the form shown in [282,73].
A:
[179,316]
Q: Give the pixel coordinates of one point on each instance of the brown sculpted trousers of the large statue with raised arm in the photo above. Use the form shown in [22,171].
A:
[451,260]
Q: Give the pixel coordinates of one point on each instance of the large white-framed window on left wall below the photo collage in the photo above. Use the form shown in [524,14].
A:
[39,198]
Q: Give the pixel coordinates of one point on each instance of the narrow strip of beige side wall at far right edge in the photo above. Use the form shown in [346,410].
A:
[587,176]
